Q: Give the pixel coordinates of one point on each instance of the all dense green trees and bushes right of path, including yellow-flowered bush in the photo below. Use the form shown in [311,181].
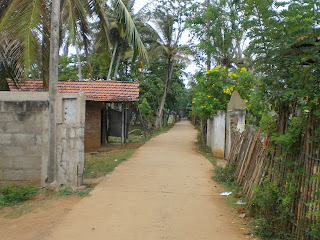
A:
[277,74]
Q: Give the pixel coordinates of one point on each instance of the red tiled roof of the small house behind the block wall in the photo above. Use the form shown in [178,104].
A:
[100,91]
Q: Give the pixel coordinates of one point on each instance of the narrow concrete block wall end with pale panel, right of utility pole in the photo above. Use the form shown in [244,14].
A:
[70,138]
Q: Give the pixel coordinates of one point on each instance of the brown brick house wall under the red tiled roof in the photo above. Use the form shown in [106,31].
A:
[93,124]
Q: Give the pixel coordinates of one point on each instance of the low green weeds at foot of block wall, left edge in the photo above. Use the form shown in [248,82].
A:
[12,194]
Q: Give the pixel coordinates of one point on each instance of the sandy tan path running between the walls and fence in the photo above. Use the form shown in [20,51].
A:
[164,191]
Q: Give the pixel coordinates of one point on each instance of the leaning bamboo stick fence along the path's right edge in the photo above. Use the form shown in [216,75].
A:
[253,161]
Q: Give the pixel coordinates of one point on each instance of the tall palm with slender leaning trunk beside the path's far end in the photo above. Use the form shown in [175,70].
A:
[167,46]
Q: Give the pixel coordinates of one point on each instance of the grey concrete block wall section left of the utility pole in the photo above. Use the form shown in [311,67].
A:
[23,137]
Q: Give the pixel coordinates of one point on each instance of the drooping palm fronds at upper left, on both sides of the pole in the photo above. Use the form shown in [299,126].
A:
[28,22]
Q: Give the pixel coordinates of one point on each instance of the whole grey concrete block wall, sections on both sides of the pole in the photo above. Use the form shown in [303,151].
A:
[24,146]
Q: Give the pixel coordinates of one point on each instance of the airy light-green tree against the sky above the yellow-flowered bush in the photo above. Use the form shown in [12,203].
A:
[218,26]
